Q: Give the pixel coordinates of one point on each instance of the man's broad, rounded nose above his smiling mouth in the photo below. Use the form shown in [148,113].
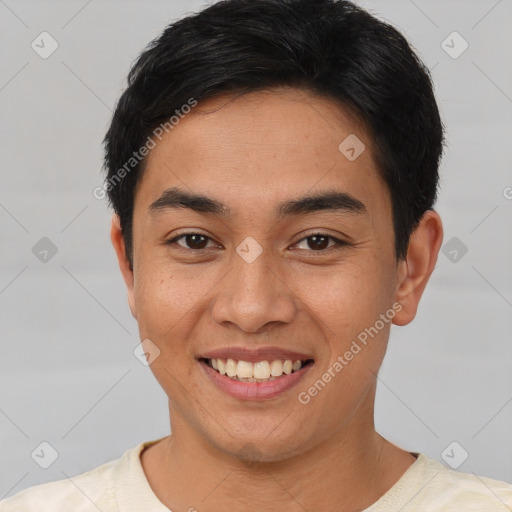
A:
[253,295]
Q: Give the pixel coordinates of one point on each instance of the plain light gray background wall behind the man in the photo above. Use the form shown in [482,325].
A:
[68,375]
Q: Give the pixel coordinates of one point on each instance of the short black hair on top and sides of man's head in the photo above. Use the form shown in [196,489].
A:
[332,48]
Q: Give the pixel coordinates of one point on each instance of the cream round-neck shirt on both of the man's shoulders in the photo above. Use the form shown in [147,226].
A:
[121,486]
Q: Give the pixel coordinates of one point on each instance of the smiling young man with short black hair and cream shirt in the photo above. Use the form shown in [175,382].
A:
[273,167]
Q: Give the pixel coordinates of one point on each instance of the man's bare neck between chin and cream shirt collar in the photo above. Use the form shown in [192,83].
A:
[349,471]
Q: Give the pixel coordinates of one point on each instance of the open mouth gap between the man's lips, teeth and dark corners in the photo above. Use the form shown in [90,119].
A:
[259,371]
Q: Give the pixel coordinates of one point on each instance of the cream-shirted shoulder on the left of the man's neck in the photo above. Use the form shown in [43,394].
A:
[86,492]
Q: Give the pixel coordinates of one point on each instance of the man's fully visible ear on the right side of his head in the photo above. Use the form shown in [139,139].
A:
[415,270]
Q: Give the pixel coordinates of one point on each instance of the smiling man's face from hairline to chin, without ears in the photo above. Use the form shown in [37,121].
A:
[255,277]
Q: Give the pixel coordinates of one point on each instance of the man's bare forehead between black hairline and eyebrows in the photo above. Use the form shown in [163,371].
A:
[261,148]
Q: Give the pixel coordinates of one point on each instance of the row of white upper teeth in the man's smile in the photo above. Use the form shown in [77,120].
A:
[258,370]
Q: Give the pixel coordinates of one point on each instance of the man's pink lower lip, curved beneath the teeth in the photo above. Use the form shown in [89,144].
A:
[254,390]
